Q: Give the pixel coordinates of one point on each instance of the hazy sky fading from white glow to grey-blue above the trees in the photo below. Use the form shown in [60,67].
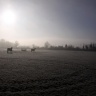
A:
[56,21]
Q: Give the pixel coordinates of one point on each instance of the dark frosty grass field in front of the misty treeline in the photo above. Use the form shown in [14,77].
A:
[48,73]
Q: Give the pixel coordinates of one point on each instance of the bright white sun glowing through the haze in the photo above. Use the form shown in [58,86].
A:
[8,17]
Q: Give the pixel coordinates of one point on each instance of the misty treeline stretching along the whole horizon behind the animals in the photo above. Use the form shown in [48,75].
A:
[87,47]
